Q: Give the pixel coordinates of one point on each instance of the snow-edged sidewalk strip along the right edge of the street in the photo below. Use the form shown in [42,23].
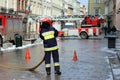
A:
[114,59]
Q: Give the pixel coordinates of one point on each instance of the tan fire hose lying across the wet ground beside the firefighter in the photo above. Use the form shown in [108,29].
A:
[23,68]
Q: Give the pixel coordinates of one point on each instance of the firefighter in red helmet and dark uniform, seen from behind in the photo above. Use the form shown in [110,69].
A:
[48,34]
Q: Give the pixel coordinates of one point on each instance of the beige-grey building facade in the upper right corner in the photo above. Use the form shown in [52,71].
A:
[112,10]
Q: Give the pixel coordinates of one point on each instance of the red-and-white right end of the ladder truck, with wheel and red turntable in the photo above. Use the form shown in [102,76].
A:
[91,26]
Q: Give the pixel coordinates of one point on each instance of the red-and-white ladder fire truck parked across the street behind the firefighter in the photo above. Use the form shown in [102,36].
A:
[84,26]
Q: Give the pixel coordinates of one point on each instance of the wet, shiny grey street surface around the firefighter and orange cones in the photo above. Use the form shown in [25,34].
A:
[91,64]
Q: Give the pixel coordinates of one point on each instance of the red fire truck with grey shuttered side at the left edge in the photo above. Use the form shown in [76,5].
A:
[9,26]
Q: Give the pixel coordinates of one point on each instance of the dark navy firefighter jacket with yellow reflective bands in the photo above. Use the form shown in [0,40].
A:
[48,35]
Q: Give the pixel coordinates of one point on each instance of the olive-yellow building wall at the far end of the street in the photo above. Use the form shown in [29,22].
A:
[92,5]
